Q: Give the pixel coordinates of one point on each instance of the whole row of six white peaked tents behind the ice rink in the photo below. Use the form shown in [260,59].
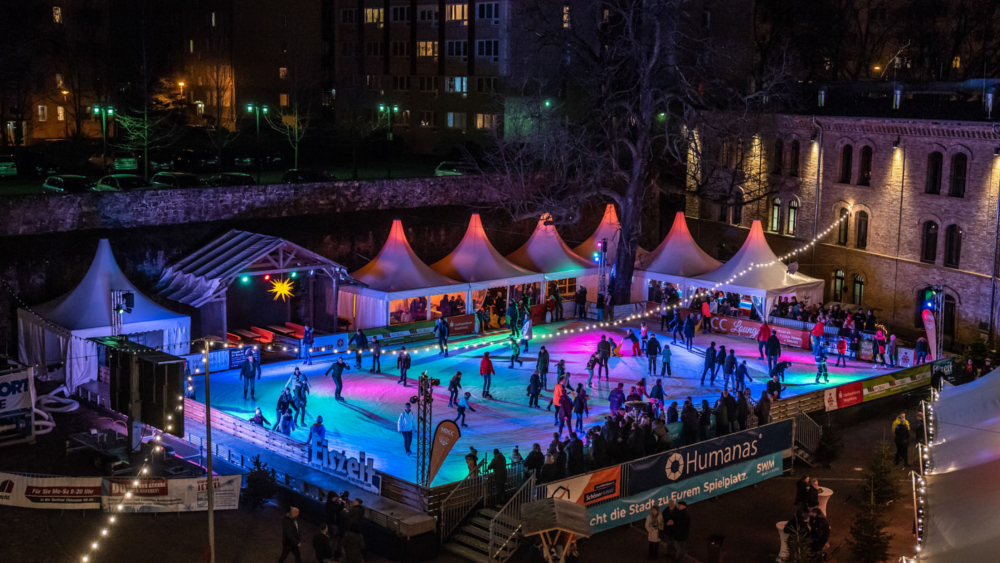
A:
[397,274]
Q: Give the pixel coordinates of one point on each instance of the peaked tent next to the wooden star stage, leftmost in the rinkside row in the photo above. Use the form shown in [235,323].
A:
[395,273]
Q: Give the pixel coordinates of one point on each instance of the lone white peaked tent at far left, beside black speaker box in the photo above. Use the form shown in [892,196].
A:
[56,331]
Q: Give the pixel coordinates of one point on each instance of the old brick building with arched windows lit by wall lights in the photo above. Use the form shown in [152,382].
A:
[925,203]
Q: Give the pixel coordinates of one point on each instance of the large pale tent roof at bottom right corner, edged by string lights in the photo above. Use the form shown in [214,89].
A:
[962,522]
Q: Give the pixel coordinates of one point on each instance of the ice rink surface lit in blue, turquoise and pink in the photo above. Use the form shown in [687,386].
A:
[366,421]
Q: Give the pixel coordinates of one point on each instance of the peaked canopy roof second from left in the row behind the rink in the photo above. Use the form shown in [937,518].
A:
[477,263]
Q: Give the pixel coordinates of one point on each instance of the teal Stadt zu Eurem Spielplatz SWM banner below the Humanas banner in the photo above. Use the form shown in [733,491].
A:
[707,485]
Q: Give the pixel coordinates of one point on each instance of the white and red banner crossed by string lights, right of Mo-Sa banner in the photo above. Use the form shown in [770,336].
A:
[171,495]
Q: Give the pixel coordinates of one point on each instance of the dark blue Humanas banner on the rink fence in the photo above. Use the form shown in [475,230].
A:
[705,457]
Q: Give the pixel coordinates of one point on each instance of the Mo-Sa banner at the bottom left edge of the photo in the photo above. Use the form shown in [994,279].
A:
[63,493]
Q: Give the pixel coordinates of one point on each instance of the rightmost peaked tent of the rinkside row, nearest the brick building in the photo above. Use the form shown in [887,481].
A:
[764,283]
